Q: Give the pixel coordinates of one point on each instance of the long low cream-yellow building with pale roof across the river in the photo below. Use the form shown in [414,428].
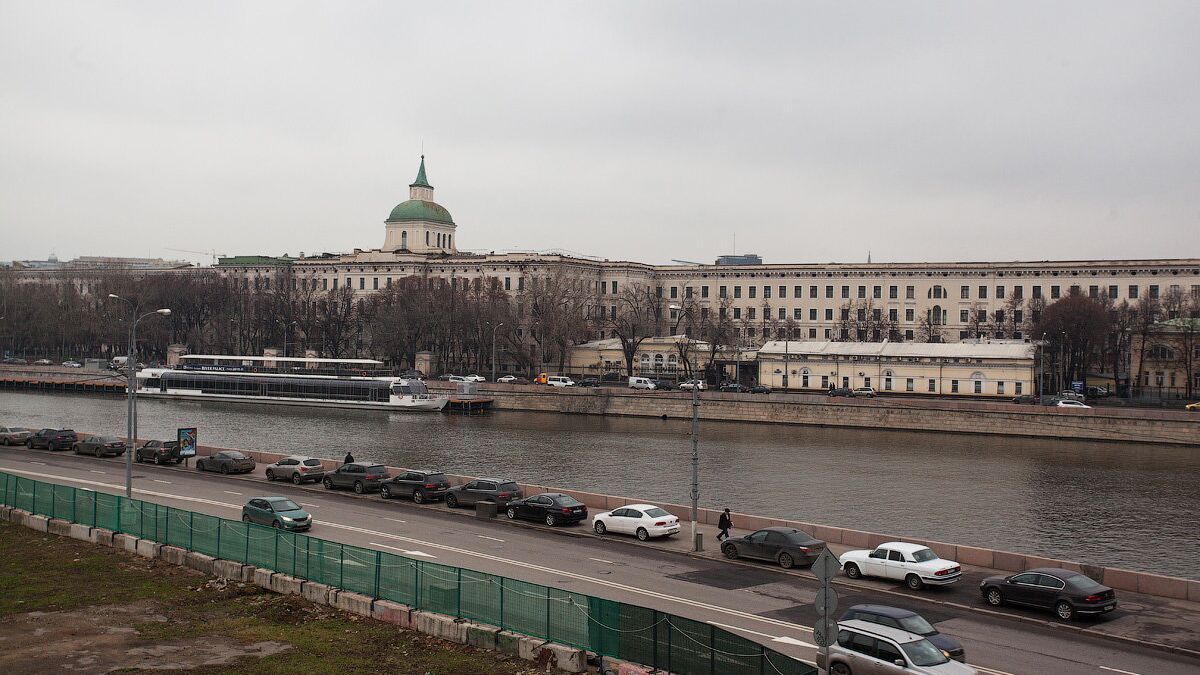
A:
[967,369]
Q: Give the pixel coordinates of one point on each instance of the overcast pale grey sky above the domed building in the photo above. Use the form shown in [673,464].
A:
[645,132]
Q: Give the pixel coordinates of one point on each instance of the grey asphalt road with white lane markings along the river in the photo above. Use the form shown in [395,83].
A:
[759,602]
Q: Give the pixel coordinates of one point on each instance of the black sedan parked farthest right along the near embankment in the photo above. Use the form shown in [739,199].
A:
[1067,594]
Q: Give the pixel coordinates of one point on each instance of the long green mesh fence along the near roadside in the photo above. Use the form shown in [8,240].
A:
[607,628]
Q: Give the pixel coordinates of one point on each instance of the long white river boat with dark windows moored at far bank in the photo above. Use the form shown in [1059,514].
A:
[344,384]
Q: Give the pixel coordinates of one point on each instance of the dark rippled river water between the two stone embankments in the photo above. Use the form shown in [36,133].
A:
[1132,506]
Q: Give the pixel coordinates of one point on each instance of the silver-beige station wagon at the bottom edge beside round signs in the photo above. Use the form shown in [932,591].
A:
[869,648]
